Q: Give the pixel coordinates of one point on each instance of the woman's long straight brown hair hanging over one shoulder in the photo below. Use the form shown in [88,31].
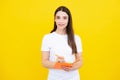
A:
[69,28]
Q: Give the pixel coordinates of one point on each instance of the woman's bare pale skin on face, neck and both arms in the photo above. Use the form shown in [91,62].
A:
[61,20]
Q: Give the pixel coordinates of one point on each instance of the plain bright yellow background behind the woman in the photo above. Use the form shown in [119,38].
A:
[23,24]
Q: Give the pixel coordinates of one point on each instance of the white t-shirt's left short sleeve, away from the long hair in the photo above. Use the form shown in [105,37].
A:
[45,44]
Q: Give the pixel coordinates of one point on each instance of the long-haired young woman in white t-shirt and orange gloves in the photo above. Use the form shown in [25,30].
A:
[61,48]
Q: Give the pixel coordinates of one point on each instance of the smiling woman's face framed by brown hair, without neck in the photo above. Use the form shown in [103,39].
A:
[61,20]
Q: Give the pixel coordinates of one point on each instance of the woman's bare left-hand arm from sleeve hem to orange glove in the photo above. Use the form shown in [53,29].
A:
[45,60]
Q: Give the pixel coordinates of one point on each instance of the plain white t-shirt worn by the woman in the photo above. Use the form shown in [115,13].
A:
[57,45]
